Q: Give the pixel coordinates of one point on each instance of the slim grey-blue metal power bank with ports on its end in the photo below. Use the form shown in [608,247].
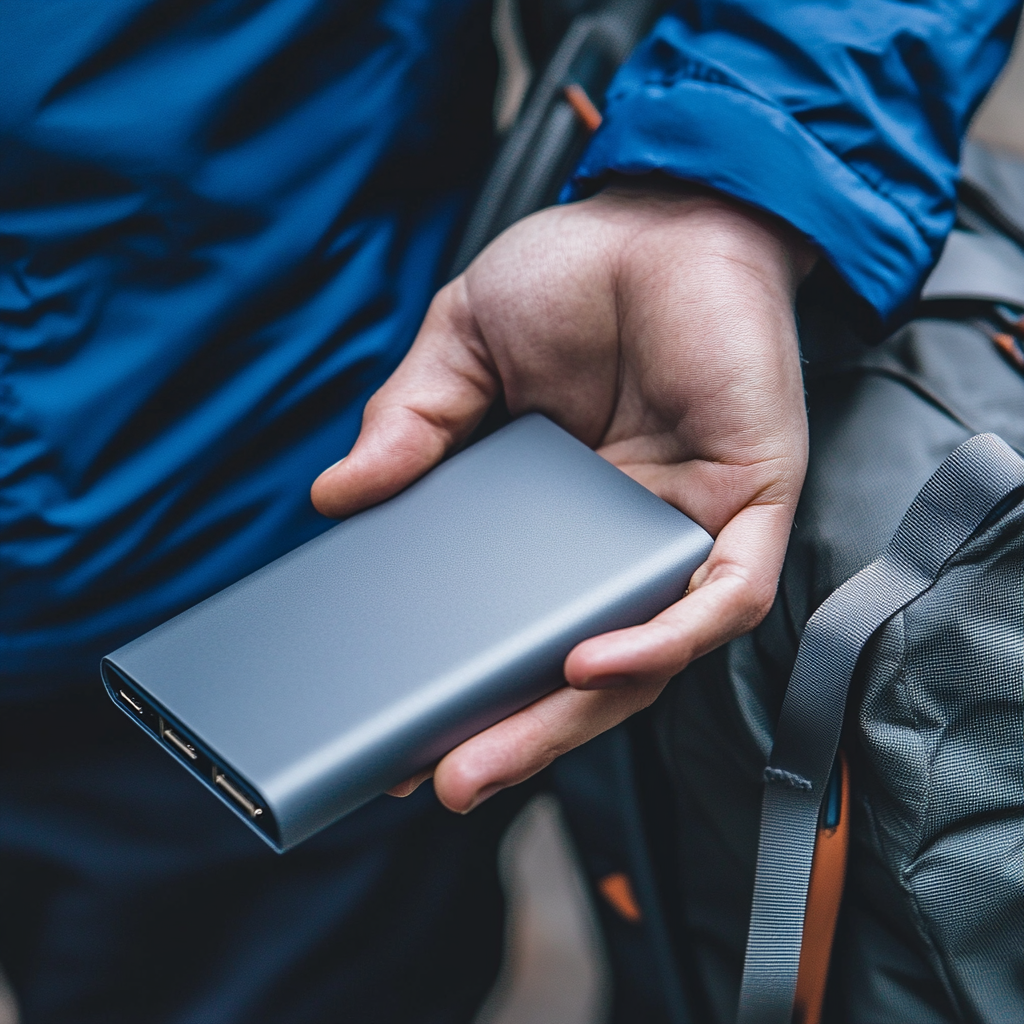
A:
[312,687]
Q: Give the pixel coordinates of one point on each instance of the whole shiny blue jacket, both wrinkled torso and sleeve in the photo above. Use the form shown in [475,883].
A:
[222,223]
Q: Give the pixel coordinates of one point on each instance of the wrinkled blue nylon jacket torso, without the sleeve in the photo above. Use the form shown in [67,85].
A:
[221,227]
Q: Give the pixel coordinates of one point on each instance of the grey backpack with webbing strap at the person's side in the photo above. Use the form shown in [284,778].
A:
[928,642]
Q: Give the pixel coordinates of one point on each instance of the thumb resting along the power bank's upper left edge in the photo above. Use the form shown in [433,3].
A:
[432,403]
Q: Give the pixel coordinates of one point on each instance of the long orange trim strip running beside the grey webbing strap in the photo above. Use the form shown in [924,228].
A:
[824,899]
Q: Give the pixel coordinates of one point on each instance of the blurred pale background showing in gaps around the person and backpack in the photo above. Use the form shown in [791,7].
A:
[556,970]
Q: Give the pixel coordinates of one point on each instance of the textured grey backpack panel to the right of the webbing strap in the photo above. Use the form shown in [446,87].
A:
[942,723]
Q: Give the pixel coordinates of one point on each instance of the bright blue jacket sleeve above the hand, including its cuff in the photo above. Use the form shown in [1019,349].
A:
[843,119]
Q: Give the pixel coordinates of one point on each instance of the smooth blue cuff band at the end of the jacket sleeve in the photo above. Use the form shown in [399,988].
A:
[720,136]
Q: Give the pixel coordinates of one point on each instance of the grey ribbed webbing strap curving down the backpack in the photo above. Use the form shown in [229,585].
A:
[962,493]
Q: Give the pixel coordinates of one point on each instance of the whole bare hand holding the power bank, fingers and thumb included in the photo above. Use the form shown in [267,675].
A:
[656,324]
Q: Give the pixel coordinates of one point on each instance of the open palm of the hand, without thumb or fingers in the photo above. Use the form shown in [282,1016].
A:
[658,359]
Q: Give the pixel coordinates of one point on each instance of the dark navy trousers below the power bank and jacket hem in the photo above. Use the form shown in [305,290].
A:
[129,894]
